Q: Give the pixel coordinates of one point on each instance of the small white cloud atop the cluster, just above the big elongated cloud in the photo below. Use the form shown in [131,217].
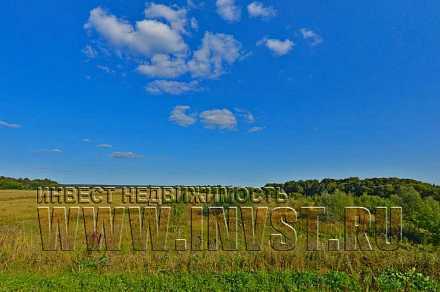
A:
[175,17]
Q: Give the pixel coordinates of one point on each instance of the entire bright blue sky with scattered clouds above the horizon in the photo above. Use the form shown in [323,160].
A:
[219,92]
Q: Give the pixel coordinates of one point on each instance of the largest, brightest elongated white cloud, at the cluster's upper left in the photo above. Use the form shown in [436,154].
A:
[147,37]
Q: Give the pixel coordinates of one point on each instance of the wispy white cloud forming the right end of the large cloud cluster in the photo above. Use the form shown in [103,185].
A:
[216,51]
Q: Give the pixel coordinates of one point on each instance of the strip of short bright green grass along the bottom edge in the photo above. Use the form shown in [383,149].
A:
[233,281]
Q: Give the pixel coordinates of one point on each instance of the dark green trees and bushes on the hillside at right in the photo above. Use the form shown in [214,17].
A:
[420,201]
